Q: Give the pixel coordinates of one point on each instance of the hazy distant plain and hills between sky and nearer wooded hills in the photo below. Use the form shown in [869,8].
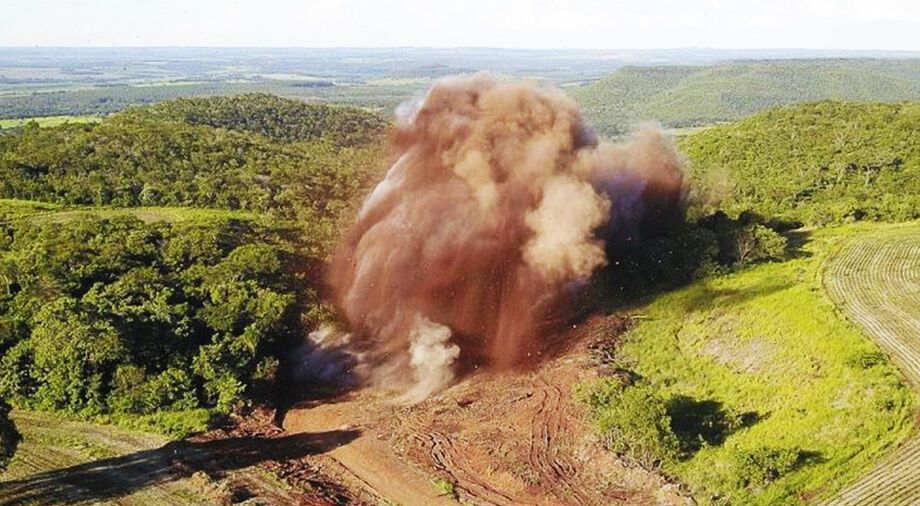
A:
[684,87]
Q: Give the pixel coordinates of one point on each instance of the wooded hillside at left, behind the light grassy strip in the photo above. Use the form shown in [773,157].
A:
[233,153]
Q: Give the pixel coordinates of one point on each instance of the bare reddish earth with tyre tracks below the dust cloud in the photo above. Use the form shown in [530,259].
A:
[504,439]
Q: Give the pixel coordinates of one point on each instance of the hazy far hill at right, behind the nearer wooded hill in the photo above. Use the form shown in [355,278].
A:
[681,96]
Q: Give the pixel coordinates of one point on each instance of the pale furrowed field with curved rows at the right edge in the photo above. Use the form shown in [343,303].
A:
[875,280]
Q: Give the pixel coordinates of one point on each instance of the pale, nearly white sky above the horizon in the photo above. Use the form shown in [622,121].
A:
[614,24]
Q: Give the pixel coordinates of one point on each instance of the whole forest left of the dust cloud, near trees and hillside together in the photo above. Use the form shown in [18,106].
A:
[103,314]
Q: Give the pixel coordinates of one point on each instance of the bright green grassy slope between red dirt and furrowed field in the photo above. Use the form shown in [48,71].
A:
[769,343]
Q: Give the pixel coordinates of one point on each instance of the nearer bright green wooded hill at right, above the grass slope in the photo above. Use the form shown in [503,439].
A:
[819,162]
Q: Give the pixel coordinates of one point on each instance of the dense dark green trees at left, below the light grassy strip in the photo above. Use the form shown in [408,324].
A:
[114,316]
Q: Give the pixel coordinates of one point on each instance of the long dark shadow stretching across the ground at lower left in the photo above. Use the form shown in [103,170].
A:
[107,479]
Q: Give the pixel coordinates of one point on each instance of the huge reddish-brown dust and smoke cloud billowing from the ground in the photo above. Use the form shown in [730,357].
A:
[499,206]
